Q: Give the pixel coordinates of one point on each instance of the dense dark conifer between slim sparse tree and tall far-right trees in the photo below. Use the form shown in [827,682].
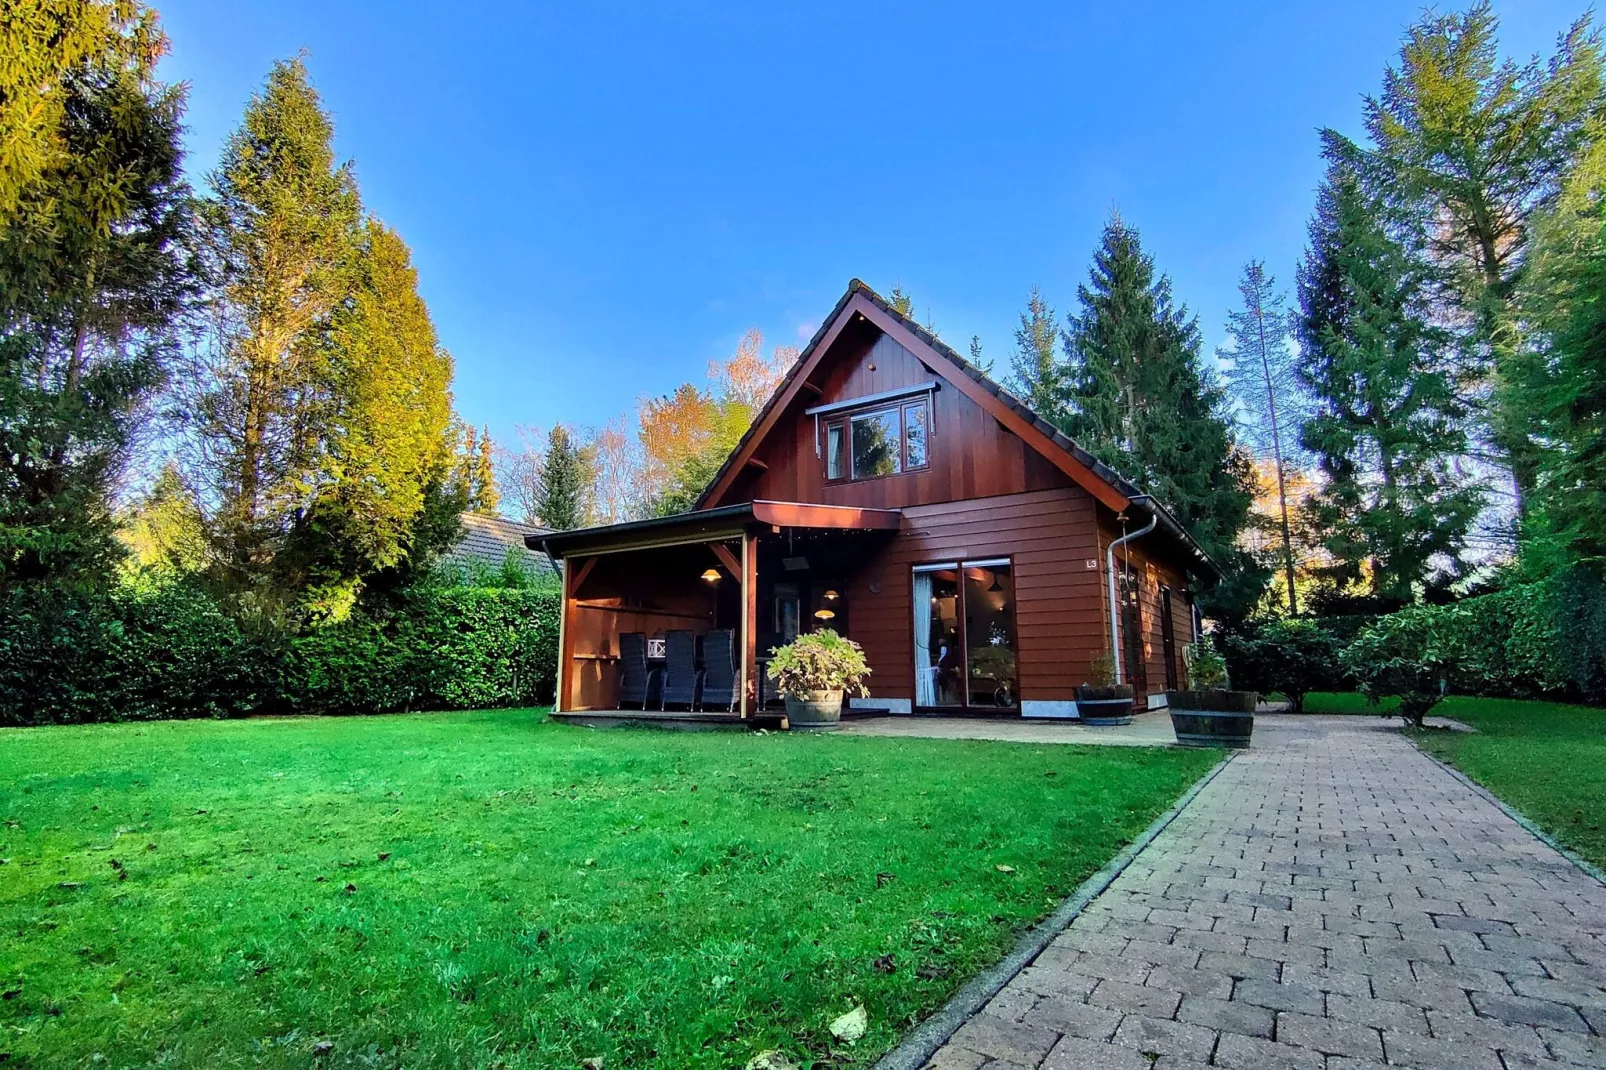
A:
[1387,423]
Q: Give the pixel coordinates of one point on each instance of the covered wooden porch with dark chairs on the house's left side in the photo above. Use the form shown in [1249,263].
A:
[706,594]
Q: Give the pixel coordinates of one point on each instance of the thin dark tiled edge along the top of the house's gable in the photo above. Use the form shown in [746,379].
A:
[1120,484]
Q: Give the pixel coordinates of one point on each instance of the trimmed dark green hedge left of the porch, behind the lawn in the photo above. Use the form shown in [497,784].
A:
[168,651]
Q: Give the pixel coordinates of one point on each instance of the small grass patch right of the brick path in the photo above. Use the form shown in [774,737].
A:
[1544,759]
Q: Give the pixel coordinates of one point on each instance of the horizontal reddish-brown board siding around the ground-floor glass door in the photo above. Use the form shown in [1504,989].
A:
[1048,536]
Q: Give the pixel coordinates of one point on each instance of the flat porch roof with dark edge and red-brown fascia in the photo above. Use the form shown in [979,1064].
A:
[703,526]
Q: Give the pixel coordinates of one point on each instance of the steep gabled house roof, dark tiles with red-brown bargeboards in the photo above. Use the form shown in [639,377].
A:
[1093,475]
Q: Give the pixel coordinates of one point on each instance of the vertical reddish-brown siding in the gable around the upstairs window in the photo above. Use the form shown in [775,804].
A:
[972,455]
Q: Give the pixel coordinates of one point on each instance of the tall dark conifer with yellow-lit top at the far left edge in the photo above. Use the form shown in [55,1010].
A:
[94,271]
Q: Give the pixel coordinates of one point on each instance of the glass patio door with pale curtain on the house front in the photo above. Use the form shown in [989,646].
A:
[964,637]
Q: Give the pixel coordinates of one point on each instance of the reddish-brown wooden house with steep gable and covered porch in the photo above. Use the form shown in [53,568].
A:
[894,492]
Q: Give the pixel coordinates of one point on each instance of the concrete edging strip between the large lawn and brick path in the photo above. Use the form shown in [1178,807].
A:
[923,1042]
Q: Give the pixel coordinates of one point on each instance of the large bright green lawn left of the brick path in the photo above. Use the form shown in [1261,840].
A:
[495,891]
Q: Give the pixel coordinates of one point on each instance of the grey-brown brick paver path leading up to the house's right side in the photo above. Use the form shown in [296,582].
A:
[1332,901]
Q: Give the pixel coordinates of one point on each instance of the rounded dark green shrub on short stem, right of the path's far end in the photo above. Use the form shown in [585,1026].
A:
[1403,655]
